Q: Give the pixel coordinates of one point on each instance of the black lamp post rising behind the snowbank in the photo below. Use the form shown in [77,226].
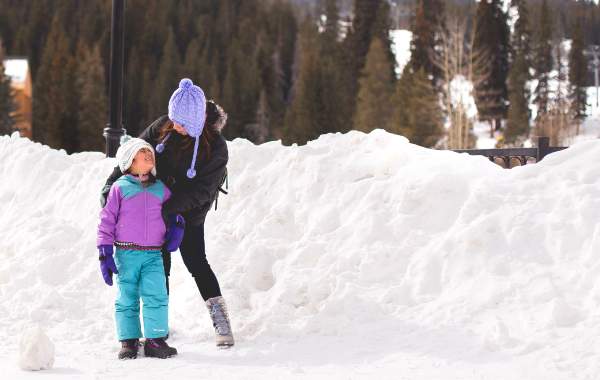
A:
[114,129]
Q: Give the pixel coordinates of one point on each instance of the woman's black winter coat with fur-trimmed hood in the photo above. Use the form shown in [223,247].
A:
[191,197]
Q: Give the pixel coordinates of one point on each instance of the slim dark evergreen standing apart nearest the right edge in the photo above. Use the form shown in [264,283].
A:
[578,76]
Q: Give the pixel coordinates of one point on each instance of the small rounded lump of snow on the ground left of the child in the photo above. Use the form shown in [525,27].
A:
[36,351]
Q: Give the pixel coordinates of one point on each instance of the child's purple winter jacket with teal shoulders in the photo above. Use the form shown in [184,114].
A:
[132,213]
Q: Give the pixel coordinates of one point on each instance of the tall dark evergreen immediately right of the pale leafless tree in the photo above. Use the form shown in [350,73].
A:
[492,36]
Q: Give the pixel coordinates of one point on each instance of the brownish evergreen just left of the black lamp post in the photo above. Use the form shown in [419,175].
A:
[93,102]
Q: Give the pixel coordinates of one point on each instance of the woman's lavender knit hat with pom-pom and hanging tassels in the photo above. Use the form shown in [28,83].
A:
[187,107]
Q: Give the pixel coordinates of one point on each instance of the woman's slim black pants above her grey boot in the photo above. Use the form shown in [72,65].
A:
[193,253]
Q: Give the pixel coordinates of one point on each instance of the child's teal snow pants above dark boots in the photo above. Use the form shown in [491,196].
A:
[141,275]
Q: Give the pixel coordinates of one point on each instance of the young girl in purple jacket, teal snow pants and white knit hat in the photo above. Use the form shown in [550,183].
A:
[132,221]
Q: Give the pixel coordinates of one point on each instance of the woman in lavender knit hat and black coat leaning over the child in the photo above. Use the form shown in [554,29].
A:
[191,132]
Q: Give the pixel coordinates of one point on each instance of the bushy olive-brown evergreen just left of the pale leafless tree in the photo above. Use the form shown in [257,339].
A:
[417,113]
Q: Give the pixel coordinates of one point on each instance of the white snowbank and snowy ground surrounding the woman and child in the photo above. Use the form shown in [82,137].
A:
[354,257]
